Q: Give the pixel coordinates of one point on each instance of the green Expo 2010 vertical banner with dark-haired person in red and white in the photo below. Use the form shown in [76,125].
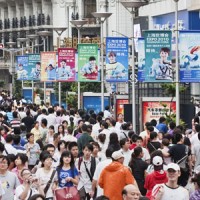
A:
[88,62]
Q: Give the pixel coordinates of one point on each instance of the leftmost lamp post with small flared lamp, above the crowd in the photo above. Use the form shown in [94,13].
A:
[11,44]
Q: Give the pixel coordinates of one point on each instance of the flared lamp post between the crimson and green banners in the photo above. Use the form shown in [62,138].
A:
[79,24]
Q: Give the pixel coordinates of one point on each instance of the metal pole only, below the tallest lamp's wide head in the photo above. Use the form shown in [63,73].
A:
[133,79]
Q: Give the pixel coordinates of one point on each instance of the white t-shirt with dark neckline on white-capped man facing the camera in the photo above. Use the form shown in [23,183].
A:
[179,193]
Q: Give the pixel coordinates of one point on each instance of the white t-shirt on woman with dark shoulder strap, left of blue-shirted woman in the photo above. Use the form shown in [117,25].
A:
[44,178]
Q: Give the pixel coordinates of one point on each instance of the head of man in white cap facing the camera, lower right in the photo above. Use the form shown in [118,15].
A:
[173,172]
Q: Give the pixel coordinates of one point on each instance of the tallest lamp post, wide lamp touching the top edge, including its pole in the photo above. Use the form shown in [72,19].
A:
[133,5]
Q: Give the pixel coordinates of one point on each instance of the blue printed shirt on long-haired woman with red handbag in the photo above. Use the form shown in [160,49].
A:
[63,174]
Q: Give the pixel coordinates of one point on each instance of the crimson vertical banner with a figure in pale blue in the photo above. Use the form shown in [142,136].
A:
[66,64]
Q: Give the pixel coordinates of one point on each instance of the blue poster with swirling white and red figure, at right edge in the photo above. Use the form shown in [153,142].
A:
[189,56]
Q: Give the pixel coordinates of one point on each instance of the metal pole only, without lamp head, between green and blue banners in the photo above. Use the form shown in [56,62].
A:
[102,69]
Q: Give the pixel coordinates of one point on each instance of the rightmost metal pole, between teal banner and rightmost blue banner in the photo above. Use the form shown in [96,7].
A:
[177,68]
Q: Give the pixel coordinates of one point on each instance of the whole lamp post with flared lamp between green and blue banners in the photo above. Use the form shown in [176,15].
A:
[102,16]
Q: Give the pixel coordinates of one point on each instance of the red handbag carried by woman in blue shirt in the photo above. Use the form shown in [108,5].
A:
[67,193]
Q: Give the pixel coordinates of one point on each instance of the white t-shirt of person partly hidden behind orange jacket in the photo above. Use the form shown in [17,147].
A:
[97,174]
